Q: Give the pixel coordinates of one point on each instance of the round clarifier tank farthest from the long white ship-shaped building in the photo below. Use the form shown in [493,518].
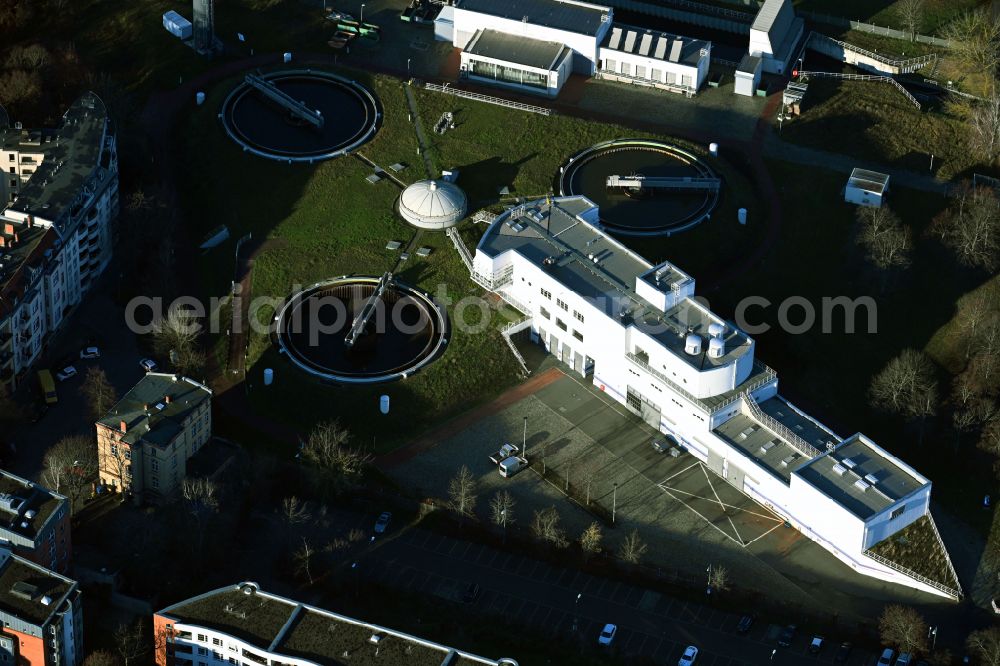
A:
[300,115]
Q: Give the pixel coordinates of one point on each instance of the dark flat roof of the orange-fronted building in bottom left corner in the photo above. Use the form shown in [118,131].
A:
[30,593]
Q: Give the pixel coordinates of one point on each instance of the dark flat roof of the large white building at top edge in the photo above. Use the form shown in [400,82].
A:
[567,15]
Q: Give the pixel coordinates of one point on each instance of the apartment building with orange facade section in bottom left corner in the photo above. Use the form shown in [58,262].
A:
[41,623]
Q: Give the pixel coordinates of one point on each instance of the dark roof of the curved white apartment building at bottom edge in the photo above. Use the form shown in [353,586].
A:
[284,627]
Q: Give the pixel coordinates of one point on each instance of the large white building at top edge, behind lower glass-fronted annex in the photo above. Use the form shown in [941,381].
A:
[580,26]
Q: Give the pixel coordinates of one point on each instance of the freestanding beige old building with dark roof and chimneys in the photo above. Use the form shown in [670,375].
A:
[145,441]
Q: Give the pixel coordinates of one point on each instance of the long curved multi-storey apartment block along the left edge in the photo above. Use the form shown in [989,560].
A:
[55,232]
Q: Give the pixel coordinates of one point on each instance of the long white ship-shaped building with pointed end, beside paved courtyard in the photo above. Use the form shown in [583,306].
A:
[636,331]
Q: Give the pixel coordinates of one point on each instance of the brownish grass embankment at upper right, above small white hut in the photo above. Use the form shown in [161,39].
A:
[875,122]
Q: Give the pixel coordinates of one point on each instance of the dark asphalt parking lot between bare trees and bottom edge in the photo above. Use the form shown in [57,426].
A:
[534,593]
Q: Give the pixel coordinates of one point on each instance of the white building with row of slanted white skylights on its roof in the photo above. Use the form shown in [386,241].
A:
[657,59]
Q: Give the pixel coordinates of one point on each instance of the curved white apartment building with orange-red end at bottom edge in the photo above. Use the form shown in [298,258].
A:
[242,624]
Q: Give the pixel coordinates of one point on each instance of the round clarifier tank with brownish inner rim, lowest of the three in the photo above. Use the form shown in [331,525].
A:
[404,330]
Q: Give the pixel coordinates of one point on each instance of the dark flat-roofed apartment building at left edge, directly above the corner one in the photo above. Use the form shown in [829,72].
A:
[35,523]
